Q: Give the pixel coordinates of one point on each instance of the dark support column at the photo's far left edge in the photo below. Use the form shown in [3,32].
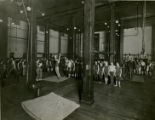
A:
[3,37]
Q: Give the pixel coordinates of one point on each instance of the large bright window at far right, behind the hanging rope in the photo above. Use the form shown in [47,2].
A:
[133,40]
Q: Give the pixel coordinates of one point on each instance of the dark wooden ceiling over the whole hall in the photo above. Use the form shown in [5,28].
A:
[61,14]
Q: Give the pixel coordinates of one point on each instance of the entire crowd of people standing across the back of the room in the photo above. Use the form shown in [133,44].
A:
[63,66]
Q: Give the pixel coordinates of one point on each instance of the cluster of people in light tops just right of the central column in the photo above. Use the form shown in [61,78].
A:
[107,73]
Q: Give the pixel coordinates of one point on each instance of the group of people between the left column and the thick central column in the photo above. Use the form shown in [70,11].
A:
[59,65]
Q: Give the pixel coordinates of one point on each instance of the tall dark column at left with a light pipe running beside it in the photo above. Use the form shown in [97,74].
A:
[32,45]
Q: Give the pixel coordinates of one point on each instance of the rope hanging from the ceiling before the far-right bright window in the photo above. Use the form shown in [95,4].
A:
[143,27]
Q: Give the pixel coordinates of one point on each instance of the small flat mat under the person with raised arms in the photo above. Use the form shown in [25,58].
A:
[55,79]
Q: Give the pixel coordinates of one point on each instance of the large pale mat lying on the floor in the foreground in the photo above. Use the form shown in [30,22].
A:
[49,107]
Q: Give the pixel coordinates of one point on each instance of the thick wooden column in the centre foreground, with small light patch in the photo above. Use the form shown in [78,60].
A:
[89,15]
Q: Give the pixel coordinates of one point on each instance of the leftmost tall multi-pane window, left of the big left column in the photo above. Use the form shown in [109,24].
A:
[17,38]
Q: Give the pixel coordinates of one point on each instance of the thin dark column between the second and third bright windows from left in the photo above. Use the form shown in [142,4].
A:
[46,45]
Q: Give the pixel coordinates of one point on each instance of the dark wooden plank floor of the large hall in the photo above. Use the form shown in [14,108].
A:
[134,101]
